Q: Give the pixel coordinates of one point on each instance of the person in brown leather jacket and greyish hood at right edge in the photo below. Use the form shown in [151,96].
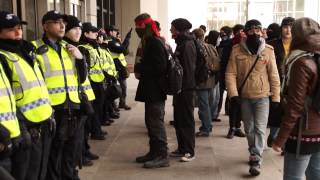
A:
[300,127]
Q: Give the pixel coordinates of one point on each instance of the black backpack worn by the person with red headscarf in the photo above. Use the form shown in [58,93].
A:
[174,74]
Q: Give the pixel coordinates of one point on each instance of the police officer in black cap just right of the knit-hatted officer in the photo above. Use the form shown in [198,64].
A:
[90,47]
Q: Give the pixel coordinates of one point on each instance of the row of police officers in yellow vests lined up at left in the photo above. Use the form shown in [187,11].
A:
[56,93]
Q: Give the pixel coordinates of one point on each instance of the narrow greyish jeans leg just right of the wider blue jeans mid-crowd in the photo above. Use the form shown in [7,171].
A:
[214,98]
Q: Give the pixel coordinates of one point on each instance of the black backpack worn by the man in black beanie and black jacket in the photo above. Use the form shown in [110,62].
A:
[202,71]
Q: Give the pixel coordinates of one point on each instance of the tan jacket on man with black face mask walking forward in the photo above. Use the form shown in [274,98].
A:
[264,79]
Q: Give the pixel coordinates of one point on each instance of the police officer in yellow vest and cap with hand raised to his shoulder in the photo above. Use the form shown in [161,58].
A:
[63,68]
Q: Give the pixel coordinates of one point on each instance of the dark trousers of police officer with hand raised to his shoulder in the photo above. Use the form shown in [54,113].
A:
[62,156]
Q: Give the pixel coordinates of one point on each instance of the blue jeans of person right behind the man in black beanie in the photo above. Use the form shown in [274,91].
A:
[204,110]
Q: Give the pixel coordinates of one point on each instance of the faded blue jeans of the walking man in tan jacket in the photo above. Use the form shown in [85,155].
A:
[254,113]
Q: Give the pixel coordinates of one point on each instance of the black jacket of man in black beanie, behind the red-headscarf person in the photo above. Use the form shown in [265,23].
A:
[187,54]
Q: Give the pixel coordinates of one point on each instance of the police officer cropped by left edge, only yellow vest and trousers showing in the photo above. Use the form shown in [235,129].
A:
[9,125]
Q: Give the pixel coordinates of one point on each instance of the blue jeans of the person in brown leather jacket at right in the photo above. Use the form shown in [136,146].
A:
[301,167]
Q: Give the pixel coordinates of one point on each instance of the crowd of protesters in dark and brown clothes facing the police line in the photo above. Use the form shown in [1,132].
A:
[271,79]
